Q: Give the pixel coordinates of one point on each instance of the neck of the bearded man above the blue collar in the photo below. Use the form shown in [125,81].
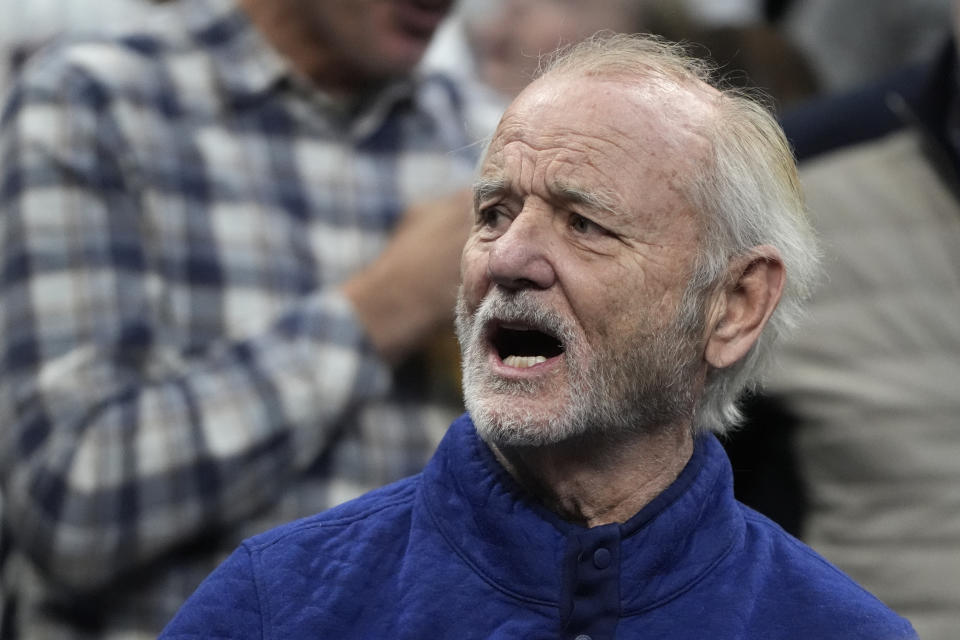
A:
[600,482]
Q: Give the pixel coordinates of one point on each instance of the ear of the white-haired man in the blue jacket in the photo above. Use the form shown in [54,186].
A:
[740,310]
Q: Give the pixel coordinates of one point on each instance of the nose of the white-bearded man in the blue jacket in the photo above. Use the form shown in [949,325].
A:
[520,258]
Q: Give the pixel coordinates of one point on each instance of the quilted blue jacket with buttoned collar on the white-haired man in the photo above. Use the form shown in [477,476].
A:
[460,551]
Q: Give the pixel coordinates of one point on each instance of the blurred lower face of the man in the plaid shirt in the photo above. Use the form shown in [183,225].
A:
[373,40]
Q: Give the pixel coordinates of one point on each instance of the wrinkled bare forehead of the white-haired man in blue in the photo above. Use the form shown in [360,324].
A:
[605,125]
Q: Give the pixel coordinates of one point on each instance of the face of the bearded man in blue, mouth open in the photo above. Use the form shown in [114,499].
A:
[579,256]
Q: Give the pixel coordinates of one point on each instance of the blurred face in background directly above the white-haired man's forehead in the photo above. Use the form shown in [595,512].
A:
[508,36]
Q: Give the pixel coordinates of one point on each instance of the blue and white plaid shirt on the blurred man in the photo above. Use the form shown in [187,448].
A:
[179,370]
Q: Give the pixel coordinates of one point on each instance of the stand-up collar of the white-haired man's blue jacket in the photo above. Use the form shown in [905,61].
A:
[519,546]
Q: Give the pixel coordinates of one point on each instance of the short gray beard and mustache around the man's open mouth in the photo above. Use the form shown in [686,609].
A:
[639,382]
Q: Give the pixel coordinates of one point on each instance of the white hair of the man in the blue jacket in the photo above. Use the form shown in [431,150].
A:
[747,194]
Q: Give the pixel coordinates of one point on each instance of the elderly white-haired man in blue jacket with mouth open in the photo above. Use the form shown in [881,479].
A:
[634,231]
